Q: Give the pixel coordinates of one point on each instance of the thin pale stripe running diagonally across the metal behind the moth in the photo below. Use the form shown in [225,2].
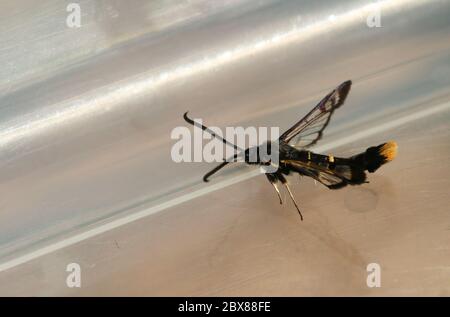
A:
[176,201]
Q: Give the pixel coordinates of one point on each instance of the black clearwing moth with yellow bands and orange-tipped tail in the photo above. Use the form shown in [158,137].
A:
[295,156]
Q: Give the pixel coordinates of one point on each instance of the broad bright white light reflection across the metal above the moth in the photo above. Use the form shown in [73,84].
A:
[114,96]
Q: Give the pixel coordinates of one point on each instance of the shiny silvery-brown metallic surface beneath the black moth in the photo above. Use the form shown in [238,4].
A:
[85,122]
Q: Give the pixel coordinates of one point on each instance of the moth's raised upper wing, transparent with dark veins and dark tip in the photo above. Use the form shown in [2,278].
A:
[309,130]
